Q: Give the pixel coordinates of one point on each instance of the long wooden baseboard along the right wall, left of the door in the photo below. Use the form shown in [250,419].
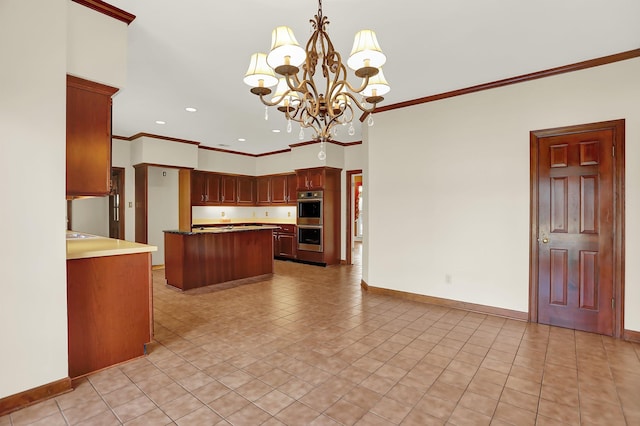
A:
[449,303]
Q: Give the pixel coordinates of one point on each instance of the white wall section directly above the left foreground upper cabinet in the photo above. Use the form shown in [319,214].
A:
[96,46]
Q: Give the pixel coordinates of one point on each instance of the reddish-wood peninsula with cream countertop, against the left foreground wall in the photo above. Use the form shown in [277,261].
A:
[109,301]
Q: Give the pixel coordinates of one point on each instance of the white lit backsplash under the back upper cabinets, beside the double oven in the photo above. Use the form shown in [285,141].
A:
[232,214]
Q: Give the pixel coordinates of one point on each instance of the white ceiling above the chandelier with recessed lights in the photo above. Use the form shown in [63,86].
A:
[194,53]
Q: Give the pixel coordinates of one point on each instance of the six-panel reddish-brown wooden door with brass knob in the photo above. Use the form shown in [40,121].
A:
[575,240]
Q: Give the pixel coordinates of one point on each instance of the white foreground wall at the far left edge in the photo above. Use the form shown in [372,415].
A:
[33,309]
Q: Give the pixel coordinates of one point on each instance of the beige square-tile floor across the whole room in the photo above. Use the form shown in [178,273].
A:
[308,346]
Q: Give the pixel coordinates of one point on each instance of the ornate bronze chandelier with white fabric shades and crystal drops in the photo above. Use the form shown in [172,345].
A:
[323,103]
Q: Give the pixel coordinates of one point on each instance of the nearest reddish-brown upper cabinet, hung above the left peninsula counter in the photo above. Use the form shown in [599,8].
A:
[88,137]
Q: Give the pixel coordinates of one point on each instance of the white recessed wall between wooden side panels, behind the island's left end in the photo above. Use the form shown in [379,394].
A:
[162,207]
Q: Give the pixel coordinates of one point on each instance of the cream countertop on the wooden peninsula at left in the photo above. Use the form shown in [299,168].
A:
[82,246]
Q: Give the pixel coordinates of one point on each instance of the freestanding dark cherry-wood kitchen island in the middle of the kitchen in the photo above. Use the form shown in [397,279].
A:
[207,256]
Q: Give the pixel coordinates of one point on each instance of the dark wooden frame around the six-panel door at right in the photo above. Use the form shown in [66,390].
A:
[618,128]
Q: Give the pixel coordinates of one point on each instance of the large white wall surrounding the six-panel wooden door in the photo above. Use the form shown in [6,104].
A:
[448,185]
